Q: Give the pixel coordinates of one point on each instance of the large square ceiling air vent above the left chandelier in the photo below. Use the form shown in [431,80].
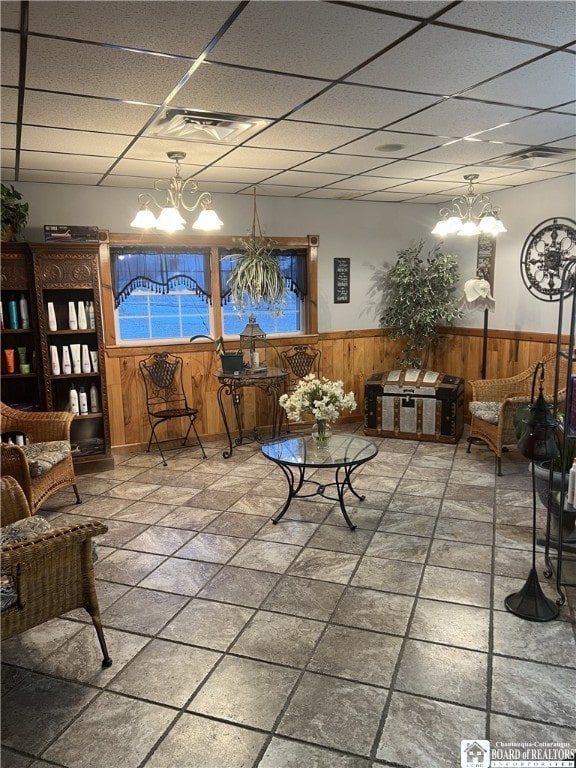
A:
[216,127]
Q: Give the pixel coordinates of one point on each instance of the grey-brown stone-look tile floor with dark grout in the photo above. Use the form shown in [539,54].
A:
[238,643]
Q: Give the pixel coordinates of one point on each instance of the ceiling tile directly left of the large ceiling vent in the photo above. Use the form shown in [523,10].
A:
[61,111]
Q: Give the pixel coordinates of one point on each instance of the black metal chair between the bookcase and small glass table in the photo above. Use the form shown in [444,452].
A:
[165,396]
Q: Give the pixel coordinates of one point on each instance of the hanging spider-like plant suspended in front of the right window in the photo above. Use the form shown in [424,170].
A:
[256,274]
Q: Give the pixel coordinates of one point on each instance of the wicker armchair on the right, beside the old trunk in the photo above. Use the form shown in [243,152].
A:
[495,401]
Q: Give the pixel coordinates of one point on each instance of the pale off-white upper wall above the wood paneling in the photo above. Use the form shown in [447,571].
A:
[370,233]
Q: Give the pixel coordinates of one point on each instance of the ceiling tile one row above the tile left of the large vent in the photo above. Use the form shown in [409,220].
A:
[99,71]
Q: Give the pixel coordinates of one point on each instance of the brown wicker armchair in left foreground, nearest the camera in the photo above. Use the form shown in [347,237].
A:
[53,572]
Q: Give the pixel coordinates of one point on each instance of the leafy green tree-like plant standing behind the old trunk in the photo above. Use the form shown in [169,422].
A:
[418,296]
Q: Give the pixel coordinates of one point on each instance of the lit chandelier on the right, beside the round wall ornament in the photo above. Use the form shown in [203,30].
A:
[469,214]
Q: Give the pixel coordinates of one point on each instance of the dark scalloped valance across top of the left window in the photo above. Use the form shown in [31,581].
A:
[159,269]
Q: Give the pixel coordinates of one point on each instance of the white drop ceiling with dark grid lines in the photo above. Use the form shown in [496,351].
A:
[374,101]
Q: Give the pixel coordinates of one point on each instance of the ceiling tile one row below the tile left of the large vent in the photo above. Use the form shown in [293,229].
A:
[76,142]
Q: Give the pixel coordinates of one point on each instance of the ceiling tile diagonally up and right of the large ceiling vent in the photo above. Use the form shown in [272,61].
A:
[364,107]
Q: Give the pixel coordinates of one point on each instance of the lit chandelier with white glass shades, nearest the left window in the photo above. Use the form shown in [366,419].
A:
[170,219]
